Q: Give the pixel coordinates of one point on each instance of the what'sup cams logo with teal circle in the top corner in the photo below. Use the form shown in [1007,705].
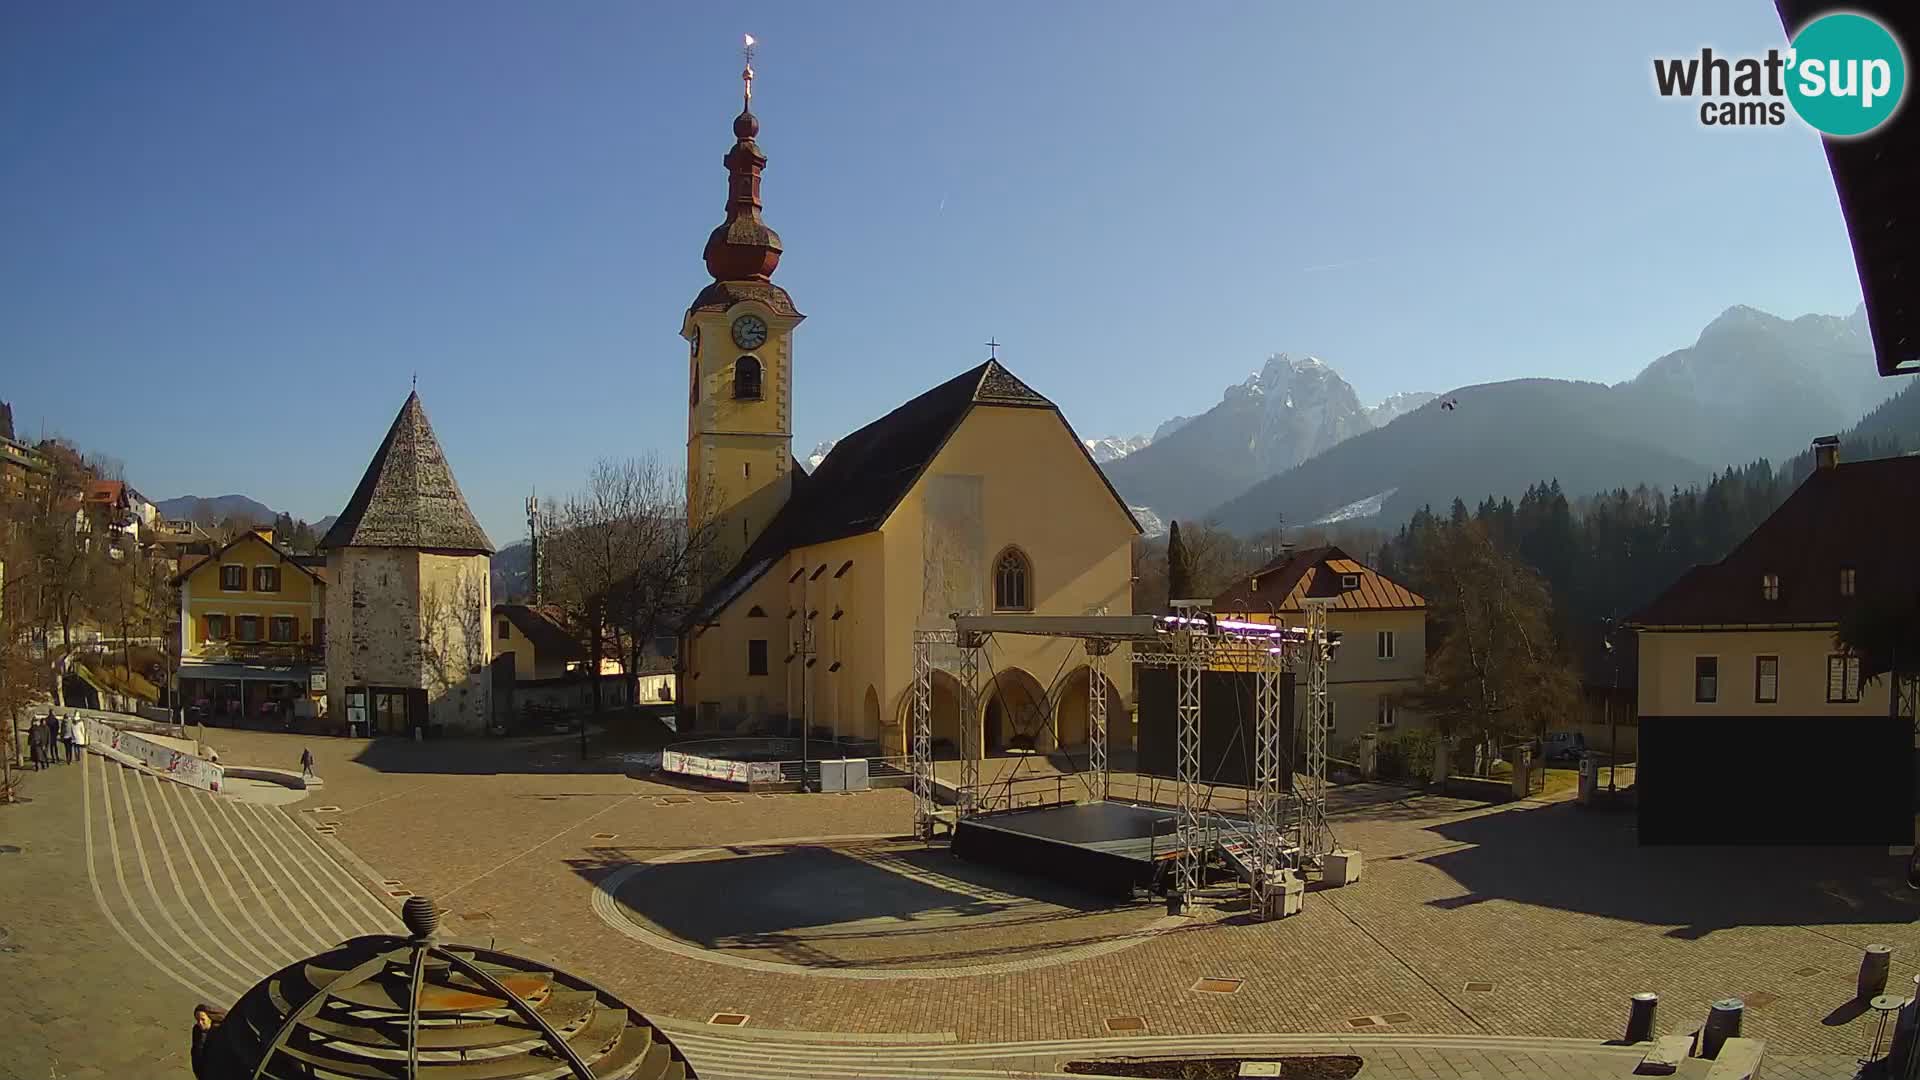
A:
[1842,74]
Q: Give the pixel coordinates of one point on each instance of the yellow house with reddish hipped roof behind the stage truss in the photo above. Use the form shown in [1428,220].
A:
[1381,626]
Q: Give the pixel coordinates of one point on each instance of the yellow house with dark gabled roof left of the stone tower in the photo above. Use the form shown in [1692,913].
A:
[252,629]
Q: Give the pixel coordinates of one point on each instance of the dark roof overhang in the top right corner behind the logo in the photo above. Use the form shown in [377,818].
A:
[1873,178]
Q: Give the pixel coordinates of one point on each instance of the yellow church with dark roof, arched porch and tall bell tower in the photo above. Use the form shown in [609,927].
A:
[972,497]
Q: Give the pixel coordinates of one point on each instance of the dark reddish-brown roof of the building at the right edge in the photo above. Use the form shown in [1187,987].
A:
[1861,514]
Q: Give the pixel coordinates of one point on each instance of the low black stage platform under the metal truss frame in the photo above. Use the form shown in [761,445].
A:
[1107,848]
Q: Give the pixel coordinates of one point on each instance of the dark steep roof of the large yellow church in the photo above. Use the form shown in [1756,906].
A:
[869,474]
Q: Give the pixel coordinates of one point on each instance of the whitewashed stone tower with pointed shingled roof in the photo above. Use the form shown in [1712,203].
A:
[408,599]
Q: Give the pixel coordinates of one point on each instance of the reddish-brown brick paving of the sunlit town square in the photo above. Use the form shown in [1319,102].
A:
[1554,906]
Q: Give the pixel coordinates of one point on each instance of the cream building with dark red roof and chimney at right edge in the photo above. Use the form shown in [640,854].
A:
[1746,699]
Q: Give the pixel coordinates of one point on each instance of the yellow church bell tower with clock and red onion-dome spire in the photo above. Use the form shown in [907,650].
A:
[740,364]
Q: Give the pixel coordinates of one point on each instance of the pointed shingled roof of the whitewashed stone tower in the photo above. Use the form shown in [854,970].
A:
[408,497]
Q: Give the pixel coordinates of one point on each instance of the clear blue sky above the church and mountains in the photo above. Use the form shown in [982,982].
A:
[235,232]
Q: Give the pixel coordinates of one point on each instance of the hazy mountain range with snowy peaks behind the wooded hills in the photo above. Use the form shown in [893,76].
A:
[1293,443]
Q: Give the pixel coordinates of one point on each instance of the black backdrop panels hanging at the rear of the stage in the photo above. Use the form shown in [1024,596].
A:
[1226,725]
